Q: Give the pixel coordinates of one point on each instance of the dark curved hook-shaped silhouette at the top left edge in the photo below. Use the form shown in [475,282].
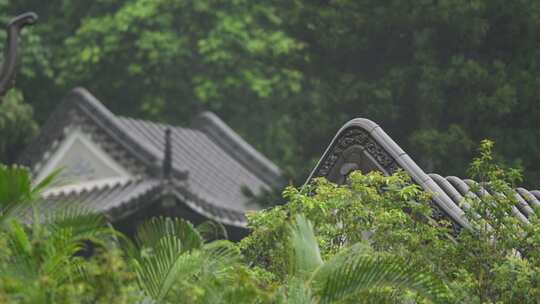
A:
[7,71]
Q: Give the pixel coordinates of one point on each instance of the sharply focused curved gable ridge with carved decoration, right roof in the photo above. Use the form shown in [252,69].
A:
[363,145]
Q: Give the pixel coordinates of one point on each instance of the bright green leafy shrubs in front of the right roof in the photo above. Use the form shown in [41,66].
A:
[496,261]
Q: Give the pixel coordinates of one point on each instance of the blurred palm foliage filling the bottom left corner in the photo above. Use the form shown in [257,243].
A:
[40,260]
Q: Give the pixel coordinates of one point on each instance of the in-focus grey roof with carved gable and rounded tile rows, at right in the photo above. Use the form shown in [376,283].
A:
[363,145]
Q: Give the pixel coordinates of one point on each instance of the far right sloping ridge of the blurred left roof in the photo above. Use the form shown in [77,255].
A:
[229,140]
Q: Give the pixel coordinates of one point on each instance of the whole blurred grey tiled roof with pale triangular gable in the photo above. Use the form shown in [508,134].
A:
[211,166]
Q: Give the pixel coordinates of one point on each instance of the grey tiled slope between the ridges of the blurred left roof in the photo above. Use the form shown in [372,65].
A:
[211,171]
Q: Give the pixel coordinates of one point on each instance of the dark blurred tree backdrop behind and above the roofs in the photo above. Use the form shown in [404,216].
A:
[438,76]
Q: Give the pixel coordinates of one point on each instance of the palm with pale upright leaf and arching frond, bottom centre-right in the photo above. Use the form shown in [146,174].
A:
[349,273]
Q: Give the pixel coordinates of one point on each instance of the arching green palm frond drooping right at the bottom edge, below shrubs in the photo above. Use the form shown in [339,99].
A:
[352,272]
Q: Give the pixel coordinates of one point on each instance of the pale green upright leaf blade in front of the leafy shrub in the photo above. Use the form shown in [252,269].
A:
[305,253]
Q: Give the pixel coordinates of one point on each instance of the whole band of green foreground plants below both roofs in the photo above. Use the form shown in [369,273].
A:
[372,240]
